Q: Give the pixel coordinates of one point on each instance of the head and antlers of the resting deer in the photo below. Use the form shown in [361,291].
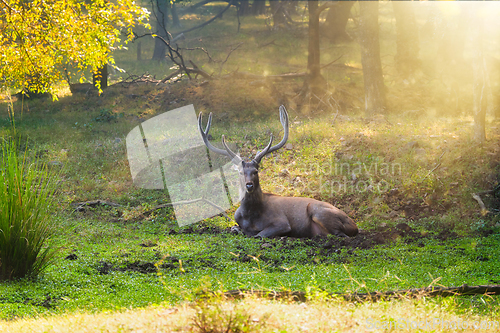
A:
[248,170]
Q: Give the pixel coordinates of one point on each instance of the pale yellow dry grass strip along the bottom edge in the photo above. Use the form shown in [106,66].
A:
[435,315]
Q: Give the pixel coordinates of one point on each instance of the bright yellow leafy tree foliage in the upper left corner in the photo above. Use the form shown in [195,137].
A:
[40,39]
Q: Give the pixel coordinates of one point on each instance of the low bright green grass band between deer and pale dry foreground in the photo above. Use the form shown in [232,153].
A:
[196,262]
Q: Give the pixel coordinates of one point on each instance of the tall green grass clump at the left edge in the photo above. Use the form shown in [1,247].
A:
[26,197]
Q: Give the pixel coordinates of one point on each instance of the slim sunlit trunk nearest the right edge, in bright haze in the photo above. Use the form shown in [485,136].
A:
[478,77]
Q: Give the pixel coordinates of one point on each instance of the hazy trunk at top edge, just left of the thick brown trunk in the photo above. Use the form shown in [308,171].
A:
[336,21]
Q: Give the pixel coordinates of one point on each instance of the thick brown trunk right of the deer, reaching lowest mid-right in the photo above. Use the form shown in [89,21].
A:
[370,58]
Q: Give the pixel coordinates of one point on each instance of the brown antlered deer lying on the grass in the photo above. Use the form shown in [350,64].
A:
[266,215]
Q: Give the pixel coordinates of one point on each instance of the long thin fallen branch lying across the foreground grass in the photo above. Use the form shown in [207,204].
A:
[301,296]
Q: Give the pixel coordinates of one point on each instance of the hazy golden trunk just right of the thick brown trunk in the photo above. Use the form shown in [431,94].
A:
[408,48]
